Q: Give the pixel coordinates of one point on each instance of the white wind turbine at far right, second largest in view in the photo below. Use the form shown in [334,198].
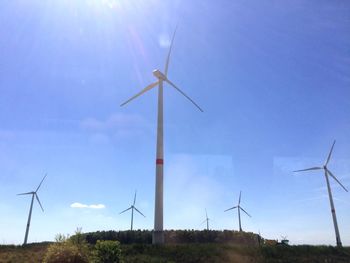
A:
[328,173]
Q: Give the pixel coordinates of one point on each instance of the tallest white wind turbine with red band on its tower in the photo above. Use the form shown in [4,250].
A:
[158,234]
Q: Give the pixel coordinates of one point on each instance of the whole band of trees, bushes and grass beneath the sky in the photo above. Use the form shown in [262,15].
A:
[182,246]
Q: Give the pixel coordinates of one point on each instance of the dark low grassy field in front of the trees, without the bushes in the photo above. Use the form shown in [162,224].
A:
[196,252]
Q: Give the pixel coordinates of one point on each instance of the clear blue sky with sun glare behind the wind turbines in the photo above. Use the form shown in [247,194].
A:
[273,80]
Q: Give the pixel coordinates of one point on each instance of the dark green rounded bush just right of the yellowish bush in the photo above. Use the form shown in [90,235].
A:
[107,251]
